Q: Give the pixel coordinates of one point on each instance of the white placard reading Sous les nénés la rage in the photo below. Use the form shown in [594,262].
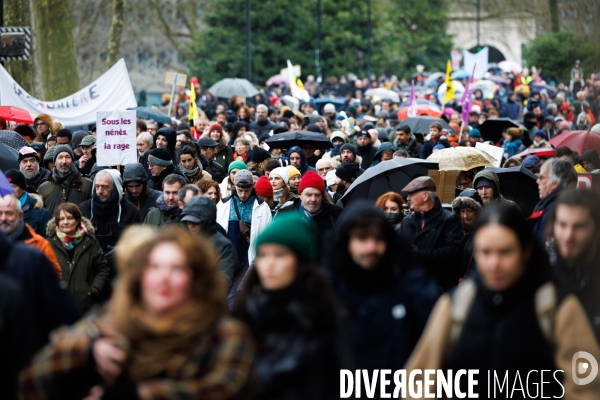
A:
[115,138]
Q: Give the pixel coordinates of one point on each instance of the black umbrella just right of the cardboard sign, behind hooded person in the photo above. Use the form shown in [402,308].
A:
[519,185]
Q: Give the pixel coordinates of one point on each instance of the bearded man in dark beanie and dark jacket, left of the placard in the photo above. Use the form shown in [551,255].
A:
[65,184]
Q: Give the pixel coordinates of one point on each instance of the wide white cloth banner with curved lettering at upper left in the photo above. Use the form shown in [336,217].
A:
[112,91]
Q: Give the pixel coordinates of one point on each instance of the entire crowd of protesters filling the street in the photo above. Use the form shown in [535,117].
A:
[219,267]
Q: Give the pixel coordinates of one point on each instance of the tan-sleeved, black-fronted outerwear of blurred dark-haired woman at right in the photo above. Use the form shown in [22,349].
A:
[530,326]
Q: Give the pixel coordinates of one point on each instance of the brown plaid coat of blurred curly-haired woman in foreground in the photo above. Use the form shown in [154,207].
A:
[217,367]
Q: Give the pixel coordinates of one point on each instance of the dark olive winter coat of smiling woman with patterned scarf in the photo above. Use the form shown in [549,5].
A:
[87,267]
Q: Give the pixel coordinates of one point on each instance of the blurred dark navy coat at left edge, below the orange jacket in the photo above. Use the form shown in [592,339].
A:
[48,303]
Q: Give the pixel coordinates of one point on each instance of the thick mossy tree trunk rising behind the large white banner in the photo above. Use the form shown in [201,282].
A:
[58,60]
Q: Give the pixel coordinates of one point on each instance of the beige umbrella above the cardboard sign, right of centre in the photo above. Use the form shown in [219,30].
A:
[461,158]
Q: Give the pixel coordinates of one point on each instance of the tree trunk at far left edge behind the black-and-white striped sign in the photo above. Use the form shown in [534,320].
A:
[17,13]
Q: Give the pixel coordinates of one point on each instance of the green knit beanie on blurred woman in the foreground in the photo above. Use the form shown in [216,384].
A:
[293,231]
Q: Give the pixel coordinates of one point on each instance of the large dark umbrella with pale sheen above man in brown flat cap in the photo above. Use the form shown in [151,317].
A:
[392,175]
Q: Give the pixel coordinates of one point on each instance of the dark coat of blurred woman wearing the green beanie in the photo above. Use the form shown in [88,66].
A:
[302,340]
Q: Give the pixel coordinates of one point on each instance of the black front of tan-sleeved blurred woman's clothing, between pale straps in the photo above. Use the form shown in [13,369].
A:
[502,332]
